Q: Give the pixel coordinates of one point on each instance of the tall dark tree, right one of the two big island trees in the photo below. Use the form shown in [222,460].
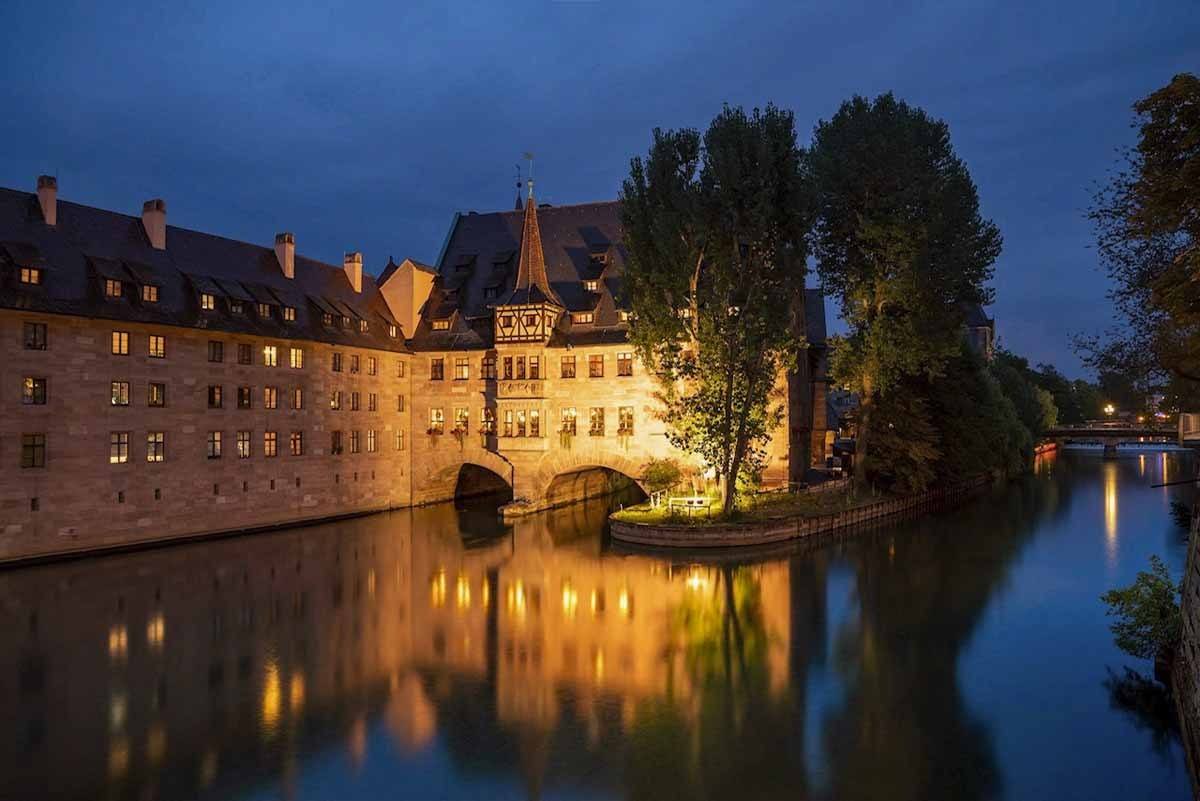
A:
[901,243]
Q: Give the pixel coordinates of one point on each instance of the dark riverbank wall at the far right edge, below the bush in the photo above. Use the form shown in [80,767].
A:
[1187,664]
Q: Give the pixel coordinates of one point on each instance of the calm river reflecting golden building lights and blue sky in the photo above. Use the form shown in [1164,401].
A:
[433,654]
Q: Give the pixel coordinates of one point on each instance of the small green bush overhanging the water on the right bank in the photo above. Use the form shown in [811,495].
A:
[1148,613]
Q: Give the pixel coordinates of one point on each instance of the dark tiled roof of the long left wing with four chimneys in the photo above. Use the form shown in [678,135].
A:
[89,245]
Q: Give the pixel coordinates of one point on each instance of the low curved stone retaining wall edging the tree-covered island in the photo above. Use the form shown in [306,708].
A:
[771,532]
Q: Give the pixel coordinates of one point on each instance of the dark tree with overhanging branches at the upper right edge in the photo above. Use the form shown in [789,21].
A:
[1148,231]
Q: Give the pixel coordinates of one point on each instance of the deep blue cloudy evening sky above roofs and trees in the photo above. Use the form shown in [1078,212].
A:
[367,130]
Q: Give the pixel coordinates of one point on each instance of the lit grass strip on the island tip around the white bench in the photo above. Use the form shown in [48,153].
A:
[761,507]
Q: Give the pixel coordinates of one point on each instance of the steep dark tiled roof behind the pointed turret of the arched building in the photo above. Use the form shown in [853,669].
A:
[579,243]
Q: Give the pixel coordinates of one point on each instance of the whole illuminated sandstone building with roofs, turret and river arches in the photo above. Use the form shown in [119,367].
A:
[163,383]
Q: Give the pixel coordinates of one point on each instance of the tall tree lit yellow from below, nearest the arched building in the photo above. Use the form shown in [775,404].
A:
[716,232]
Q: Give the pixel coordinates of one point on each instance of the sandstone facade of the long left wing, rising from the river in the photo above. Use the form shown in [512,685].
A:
[81,501]
